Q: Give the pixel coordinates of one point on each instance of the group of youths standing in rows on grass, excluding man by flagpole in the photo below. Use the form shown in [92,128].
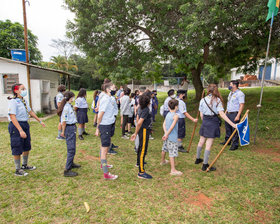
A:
[138,108]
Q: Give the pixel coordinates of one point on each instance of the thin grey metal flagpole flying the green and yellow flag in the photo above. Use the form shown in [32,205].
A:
[262,83]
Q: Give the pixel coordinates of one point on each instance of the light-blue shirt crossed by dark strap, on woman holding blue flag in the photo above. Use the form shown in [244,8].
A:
[216,105]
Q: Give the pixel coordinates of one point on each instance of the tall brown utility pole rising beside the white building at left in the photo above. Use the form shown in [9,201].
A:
[26,51]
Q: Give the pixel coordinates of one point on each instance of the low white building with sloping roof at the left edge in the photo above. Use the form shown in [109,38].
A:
[43,84]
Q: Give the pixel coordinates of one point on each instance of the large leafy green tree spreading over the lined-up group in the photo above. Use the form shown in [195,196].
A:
[124,35]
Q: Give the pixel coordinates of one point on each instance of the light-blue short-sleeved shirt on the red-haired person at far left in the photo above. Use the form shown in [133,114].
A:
[17,107]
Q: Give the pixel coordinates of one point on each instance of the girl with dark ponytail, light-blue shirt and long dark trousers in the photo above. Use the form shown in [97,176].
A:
[69,129]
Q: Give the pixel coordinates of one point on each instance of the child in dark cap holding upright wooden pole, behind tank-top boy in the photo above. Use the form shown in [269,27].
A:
[182,112]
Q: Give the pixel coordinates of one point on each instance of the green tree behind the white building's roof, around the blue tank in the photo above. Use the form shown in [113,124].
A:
[12,37]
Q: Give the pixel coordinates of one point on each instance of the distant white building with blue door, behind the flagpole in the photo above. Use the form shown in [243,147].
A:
[272,71]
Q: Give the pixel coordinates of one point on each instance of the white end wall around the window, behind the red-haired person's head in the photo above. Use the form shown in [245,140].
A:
[6,68]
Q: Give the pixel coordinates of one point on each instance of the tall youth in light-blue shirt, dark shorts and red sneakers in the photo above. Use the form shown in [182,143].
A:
[105,125]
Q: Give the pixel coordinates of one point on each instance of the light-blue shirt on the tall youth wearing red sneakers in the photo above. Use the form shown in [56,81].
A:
[107,106]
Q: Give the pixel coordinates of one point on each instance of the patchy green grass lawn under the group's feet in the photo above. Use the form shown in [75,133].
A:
[244,189]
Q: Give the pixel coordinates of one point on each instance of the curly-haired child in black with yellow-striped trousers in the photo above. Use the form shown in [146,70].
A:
[143,131]
